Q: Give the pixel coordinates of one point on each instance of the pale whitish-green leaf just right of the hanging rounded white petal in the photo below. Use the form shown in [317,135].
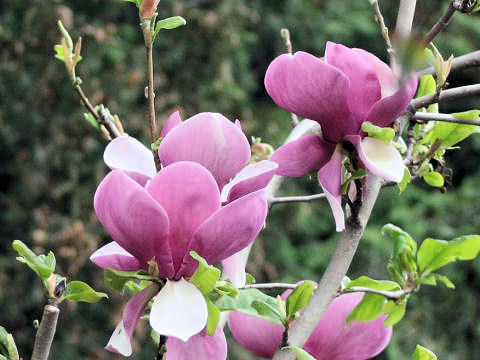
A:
[244,302]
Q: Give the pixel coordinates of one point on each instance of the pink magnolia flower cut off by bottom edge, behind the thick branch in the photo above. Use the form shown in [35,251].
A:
[332,339]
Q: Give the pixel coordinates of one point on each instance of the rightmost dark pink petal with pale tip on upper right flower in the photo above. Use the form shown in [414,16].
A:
[388,109]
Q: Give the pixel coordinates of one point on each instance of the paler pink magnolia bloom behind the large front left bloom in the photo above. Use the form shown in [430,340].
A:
[211,140]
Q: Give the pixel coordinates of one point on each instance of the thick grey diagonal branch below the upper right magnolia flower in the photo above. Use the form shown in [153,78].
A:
[337,268]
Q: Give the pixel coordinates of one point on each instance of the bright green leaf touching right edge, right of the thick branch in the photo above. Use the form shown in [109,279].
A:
[434,254]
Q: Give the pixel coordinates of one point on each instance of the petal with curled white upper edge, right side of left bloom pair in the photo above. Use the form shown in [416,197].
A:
[251,178]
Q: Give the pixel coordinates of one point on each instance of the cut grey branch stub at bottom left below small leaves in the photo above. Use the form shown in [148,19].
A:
[45,332]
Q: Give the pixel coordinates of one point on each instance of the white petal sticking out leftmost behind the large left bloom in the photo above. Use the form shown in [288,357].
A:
[127,153]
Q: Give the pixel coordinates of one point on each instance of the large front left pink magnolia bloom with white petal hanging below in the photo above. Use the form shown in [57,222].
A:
[154,228]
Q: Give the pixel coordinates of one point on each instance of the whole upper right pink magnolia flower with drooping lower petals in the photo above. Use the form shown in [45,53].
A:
[340,91]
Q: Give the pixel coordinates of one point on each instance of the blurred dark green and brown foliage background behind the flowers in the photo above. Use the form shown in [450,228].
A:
[51,159]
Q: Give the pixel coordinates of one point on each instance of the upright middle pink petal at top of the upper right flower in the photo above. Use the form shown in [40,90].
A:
[364,88]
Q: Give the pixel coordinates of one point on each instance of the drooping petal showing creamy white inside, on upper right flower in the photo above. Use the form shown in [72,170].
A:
[379,157]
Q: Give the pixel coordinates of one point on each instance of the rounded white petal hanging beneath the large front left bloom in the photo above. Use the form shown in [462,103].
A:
[179,310]
